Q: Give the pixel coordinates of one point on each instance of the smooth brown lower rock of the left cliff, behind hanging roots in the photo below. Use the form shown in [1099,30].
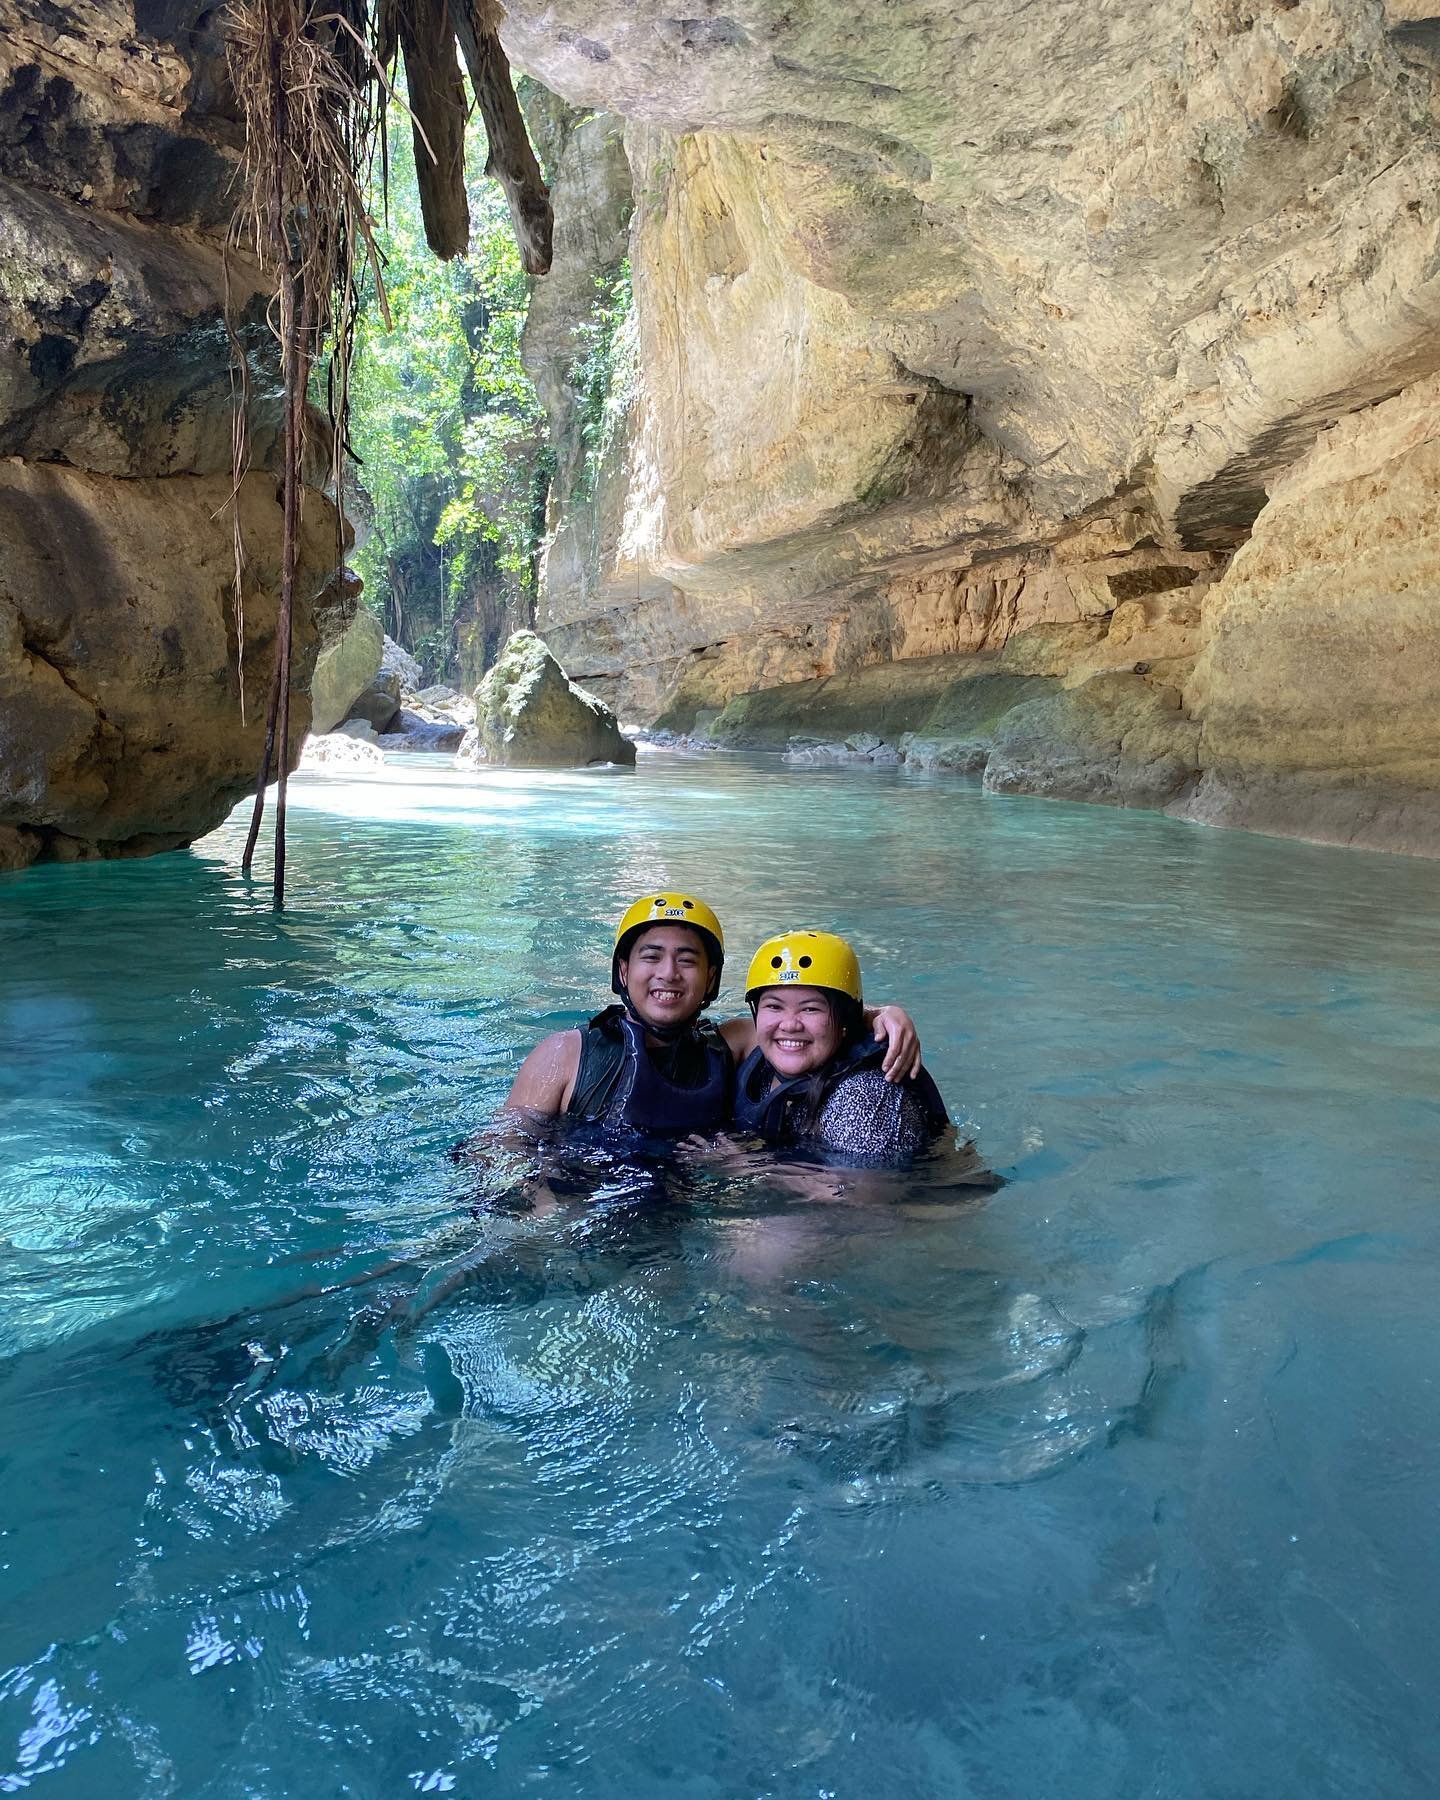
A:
[120,701]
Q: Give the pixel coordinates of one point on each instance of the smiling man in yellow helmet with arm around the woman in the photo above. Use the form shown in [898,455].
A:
[654,1065]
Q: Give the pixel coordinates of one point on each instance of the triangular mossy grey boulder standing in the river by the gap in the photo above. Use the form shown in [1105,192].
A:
[530,714]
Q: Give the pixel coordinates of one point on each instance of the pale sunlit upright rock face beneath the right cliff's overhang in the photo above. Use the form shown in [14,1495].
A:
[775,456]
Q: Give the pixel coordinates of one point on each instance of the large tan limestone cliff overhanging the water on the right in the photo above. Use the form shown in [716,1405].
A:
[985,334]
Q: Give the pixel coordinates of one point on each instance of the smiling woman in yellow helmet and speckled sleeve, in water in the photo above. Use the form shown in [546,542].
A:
[814,1079]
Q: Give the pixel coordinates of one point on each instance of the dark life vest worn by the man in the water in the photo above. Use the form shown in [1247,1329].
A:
[620,1083]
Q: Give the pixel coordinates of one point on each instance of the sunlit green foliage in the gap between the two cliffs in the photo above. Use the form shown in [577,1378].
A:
[445,426]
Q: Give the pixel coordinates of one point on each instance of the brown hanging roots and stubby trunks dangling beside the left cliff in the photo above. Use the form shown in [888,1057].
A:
[310,80]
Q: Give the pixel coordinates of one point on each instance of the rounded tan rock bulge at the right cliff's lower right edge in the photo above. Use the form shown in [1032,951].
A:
[1320,672]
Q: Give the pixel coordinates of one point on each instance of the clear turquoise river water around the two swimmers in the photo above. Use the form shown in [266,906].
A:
[1119,1482]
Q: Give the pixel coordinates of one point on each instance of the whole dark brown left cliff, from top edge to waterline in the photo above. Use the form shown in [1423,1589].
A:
[120,661]
